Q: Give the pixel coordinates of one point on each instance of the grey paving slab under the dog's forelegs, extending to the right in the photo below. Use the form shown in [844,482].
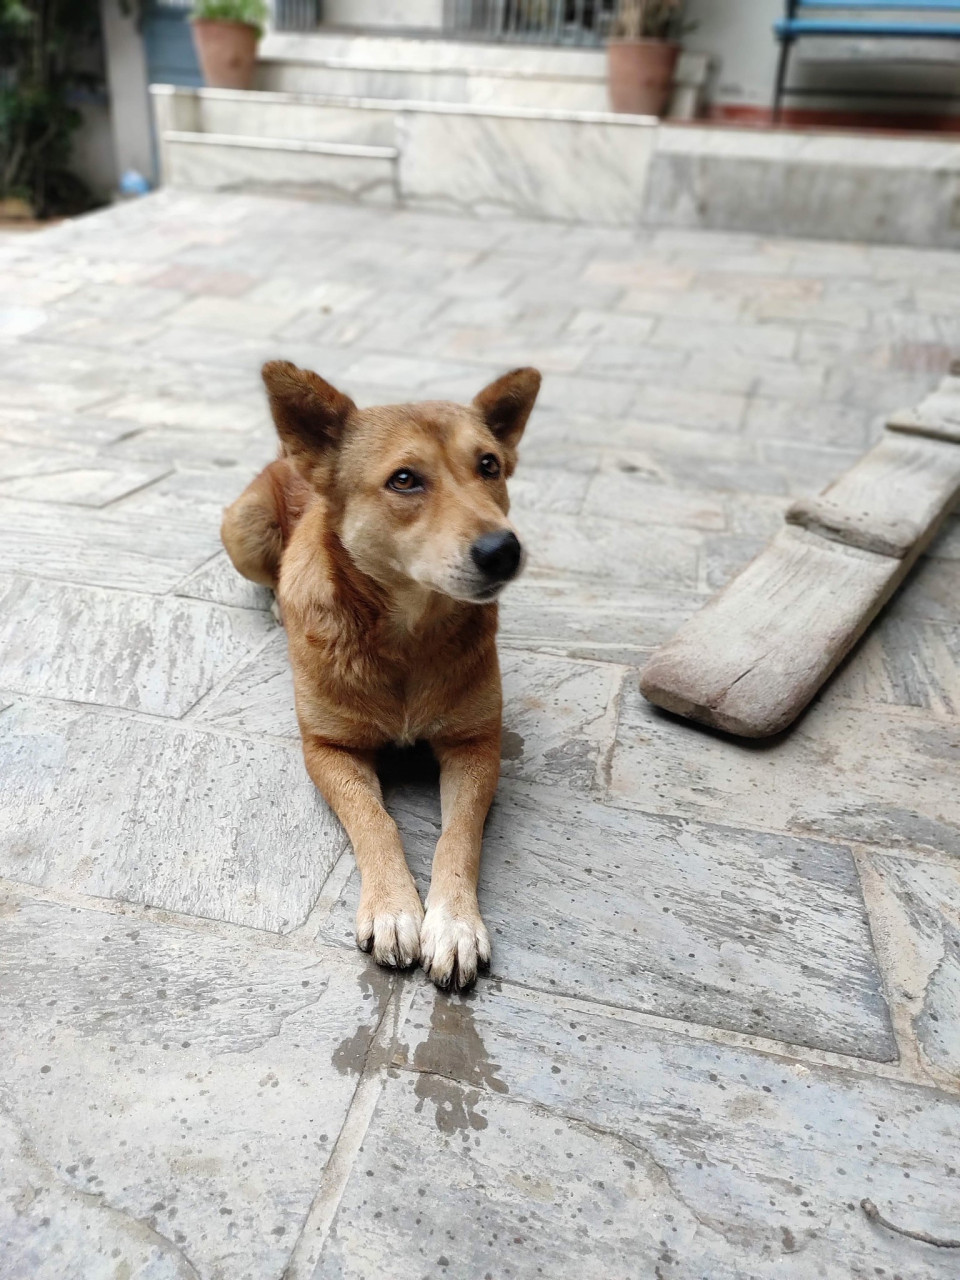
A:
[758,934]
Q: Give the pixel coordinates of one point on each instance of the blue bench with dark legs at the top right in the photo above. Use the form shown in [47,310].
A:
[839,19]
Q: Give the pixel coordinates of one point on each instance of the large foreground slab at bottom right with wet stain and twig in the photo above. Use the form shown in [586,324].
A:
[538,1140]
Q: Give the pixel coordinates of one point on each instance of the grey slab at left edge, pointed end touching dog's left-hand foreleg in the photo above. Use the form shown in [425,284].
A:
[154,812]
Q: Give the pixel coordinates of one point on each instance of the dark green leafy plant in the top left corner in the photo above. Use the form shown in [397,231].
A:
[39,76]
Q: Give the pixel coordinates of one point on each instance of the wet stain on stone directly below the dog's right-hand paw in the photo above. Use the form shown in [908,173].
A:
[452,1058]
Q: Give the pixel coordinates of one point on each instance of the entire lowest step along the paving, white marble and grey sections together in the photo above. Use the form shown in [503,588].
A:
[566,166]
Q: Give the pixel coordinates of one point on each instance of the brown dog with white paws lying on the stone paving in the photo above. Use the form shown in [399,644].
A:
[385,533]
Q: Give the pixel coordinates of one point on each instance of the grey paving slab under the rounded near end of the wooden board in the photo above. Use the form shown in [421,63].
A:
[843,772]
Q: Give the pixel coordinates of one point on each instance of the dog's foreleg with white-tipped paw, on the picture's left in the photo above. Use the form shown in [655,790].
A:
[390,912]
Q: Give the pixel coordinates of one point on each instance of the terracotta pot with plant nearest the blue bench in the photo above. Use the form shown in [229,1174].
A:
[642,56]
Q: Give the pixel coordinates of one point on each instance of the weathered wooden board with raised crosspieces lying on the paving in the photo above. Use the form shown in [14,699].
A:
[756,655]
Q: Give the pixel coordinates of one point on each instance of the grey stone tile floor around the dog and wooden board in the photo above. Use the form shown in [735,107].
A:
[726,994]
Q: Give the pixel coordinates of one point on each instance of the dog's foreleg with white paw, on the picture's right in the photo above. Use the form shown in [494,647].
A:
[454,939]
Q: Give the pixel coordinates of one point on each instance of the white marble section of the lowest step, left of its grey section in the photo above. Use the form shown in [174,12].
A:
[566,166]
